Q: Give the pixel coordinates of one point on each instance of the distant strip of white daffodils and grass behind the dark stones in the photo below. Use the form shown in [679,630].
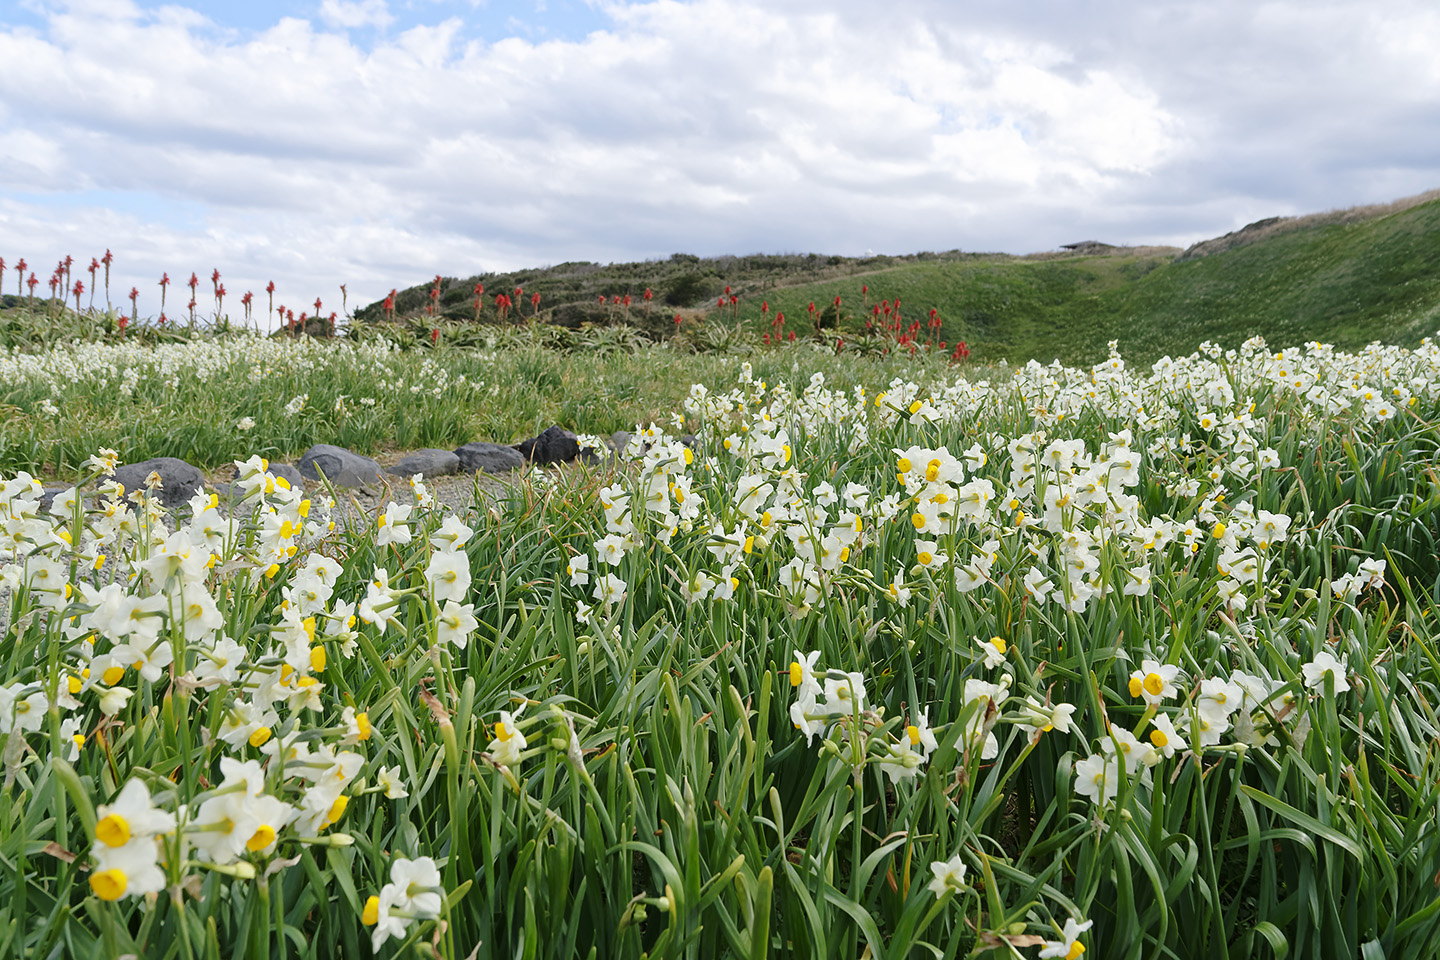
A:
[194,399]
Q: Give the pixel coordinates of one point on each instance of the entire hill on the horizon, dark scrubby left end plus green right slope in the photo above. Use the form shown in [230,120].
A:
[1346,279]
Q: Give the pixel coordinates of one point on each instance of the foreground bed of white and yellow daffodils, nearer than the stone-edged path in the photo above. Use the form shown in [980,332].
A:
[1111,663]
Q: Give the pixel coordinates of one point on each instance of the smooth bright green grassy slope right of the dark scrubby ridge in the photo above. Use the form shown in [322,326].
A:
[1343,284]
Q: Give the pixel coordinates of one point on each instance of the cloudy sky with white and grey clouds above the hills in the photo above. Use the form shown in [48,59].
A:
[377,143]
